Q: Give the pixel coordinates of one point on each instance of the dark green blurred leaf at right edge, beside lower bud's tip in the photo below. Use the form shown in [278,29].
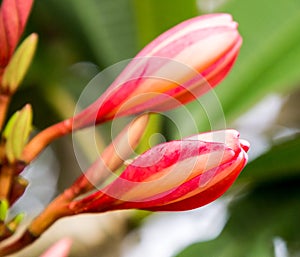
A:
[281,161]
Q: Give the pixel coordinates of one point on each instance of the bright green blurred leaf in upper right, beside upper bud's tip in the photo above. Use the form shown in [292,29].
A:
[270,55]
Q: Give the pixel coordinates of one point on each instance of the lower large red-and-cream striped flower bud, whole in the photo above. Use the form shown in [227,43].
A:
[174,176]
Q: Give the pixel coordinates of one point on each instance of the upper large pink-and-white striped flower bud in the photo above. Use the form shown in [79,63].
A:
[175,68]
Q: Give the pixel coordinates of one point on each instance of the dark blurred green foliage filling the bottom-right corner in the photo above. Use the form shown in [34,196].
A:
[256,220]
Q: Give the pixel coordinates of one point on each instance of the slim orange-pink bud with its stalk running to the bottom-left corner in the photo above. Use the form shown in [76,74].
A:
[111,159]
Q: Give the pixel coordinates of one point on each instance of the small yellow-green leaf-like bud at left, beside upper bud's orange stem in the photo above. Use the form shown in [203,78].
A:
[17,132]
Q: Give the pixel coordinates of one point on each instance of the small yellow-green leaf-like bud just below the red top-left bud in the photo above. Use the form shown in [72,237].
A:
[19,64]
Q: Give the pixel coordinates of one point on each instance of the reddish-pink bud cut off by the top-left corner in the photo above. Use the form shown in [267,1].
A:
[13,18]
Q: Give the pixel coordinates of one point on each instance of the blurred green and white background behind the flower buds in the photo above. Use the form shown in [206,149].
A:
[259,216]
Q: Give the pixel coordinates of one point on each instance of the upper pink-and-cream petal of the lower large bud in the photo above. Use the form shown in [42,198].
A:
[160,169]
